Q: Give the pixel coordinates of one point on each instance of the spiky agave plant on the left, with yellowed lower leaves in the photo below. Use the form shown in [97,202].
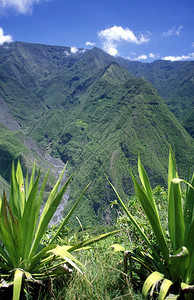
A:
[22,254]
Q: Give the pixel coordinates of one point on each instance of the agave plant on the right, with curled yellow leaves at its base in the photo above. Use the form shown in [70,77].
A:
[171,263]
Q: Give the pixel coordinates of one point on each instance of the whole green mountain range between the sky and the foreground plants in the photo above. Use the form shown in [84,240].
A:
[97,112]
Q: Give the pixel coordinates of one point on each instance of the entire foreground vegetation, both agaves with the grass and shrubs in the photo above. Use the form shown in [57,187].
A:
[36,257]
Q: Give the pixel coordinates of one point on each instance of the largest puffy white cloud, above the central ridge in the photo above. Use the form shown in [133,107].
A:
[111,37]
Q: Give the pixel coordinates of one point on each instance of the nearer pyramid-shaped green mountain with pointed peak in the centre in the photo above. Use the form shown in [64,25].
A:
[103,131]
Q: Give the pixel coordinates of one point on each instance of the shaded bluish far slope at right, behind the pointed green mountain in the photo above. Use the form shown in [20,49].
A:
[174,82]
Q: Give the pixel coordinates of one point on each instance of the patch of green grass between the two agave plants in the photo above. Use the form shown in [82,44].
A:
[104,271]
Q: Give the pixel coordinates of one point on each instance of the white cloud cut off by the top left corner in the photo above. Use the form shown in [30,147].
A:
[21,6]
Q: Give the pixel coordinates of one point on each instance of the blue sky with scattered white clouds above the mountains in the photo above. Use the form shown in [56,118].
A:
[143,30]
